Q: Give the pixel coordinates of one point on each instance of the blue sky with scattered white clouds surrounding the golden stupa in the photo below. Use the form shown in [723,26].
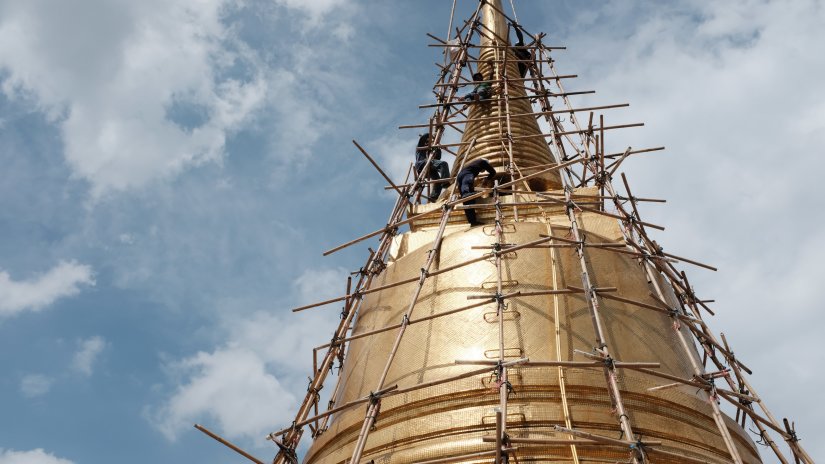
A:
[172,171]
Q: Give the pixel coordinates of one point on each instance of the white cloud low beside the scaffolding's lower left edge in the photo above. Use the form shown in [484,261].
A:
[248,385]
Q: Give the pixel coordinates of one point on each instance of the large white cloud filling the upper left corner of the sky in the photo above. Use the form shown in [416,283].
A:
[141,90]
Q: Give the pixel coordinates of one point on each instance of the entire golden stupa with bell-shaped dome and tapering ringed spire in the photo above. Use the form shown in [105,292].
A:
[549,349]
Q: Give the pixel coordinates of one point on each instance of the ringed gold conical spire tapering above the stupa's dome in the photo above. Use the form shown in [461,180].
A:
[490,132]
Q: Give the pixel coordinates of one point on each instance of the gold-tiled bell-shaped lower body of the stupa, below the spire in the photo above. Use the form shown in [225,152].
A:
[451,419]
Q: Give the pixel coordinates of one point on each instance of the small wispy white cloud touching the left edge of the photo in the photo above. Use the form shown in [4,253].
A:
[61,281]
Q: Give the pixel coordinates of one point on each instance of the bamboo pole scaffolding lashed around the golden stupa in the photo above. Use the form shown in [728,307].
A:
[656,265]
